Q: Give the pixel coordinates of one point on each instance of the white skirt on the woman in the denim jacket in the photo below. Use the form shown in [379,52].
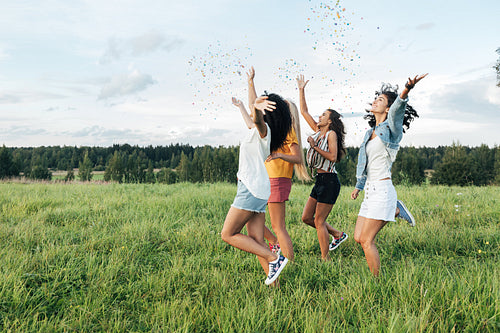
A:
[380,201]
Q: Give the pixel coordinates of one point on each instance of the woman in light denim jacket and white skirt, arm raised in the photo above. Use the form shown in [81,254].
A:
[388,115]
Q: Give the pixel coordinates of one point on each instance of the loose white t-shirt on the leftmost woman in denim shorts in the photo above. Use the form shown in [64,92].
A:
[251,169]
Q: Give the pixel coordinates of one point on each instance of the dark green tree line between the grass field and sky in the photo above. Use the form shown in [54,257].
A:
[448,165]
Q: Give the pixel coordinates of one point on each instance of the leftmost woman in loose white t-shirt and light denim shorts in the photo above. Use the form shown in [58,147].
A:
[272,121]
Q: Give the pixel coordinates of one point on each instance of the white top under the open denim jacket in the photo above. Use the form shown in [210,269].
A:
[379,161]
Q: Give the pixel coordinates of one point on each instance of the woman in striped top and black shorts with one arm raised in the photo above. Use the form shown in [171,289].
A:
[326,148]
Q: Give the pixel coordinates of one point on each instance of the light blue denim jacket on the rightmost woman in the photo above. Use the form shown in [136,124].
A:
[390,131]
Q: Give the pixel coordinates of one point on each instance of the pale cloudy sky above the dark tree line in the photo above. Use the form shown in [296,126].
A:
[98,73]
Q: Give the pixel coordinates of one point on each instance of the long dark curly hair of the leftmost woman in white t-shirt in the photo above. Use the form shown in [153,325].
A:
[279,121]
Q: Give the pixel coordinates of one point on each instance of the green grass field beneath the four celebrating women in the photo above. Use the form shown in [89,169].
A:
[88,257]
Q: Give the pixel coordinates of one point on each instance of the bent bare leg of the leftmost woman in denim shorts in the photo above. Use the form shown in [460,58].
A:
[235,221]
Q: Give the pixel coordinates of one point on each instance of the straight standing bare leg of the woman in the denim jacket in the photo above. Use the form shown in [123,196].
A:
[365,232]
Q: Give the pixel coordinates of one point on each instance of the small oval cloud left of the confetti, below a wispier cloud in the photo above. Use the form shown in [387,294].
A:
[126,84]
